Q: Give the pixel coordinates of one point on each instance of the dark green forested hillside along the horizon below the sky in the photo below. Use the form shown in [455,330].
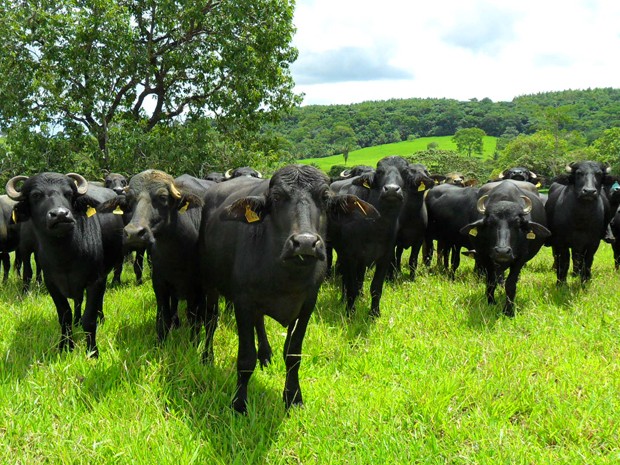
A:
[316,131]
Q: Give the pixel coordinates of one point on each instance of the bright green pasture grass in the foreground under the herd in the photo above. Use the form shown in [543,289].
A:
[440,377]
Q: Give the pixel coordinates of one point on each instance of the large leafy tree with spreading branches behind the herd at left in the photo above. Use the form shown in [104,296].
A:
[97,65]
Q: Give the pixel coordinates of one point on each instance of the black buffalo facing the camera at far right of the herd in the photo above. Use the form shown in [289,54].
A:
[578,214]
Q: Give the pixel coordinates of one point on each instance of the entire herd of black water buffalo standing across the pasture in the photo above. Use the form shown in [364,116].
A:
[266,244]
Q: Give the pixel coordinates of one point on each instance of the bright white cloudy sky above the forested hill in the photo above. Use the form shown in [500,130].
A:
[356,50]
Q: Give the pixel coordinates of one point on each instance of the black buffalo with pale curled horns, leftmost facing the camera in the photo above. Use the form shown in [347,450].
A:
[71,249]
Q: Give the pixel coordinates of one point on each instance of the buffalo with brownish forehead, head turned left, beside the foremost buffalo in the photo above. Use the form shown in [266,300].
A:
[165,218]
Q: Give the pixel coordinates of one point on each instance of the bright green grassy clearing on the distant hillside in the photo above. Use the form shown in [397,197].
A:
[370,155]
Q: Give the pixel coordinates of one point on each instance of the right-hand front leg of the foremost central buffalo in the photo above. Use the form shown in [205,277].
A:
[292,355]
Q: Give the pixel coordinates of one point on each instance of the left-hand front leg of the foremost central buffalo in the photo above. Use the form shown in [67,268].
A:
[246,356]
